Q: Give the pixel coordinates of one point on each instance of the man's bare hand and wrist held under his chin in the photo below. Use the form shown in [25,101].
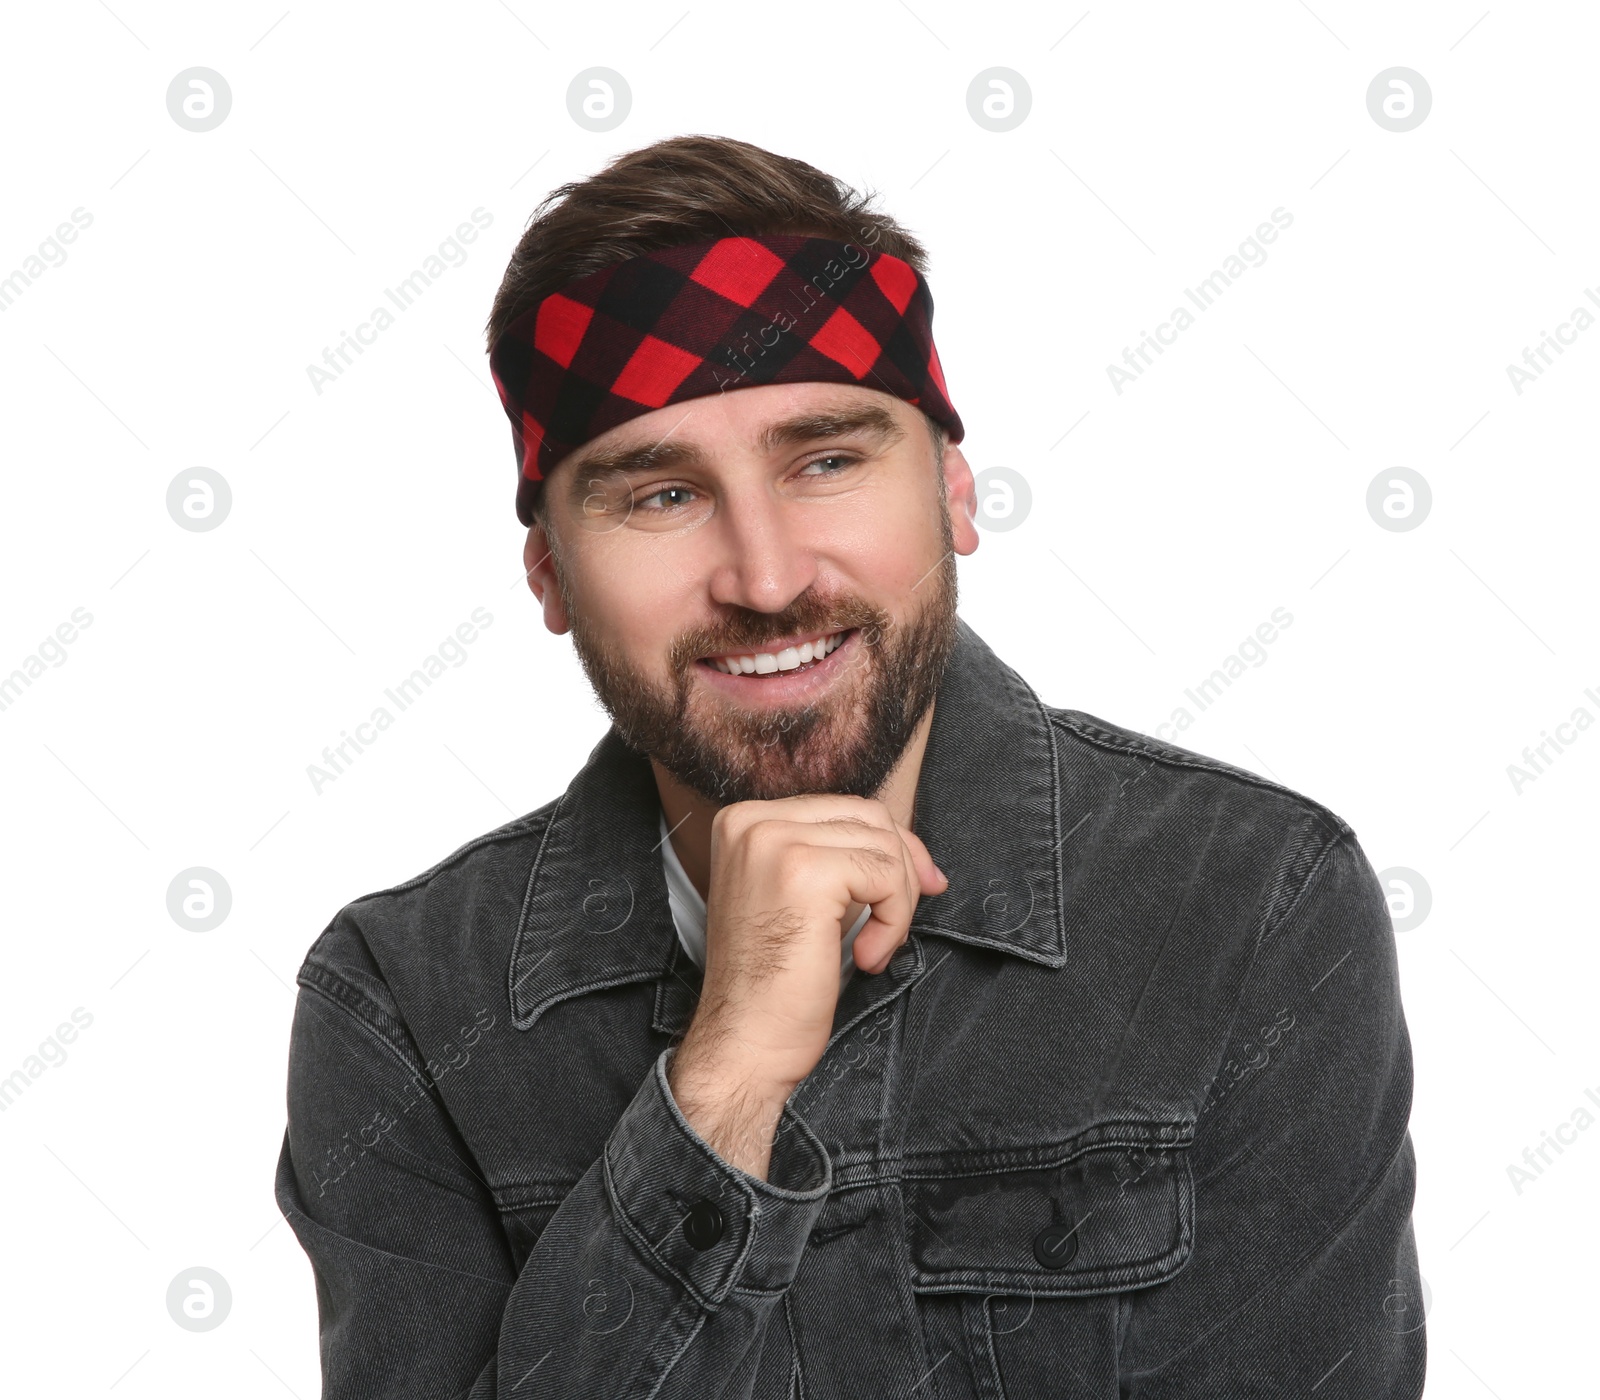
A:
[788,879]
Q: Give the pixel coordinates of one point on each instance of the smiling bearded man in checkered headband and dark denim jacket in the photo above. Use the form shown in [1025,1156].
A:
[855,1025]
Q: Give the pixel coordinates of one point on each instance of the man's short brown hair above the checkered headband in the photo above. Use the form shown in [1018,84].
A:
[681,191]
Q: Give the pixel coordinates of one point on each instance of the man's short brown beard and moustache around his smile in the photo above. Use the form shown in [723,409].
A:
[846,742]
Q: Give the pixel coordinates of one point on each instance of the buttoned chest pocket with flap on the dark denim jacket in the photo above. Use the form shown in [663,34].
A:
[1018,1255]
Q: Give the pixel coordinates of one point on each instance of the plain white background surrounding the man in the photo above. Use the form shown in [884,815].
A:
[1167,522]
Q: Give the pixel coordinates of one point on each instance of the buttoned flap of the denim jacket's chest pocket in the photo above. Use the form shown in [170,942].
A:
[1108,1210]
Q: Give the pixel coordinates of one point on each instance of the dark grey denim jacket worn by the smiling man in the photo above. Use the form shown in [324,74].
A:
[1127,1116]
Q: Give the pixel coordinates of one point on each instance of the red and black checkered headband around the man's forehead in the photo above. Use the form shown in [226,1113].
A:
[706,318]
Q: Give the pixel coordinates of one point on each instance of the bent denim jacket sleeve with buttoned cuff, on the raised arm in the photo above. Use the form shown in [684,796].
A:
[633,1289]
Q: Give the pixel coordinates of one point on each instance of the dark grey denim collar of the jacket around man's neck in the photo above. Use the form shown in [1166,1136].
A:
[596,913]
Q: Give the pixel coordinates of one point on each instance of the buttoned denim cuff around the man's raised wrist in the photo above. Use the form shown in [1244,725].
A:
[700,1218]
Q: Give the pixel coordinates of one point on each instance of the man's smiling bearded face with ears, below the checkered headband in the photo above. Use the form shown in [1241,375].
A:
[761,585]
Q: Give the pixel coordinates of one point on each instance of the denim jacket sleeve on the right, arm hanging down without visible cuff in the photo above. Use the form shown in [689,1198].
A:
[1303,1279]
